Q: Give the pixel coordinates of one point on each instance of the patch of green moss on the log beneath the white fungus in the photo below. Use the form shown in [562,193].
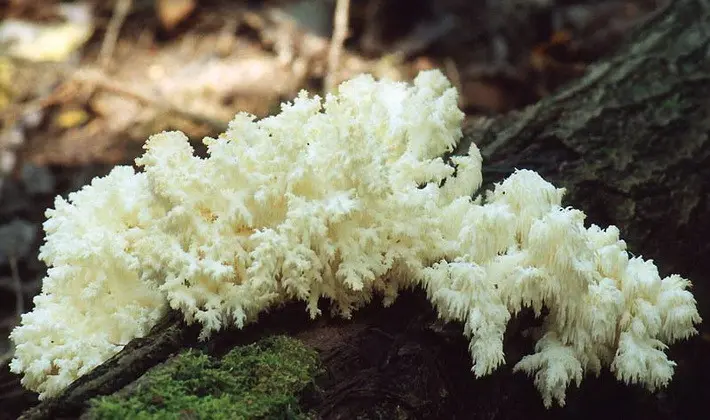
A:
[262,380]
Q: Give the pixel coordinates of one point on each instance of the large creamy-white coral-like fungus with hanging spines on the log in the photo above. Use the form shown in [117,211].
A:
[343,198]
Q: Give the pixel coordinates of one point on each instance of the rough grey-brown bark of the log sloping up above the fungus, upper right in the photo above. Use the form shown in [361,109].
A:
[629,140]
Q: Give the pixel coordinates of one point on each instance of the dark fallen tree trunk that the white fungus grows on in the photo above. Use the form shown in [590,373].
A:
[630,143]
